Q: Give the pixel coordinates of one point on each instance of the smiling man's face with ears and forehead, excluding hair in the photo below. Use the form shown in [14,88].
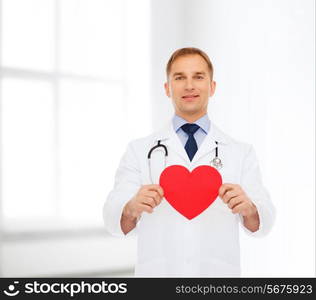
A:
[189,86]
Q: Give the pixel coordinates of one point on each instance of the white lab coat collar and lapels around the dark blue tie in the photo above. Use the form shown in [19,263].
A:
[168,136]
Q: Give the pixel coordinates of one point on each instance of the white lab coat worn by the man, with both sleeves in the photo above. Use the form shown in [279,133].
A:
[169,245]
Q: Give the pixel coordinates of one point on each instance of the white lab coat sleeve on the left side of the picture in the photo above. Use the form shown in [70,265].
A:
[127,183]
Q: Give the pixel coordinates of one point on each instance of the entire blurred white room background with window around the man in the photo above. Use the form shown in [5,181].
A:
[79,79]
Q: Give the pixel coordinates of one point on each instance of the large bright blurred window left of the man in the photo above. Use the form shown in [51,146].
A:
[70,71]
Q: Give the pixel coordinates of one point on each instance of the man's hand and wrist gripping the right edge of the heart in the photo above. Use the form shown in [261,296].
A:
[237,200]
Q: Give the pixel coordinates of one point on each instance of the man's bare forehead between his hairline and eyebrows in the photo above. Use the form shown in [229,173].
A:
[189,63]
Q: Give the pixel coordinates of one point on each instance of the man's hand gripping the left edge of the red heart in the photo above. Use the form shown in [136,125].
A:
[146,199]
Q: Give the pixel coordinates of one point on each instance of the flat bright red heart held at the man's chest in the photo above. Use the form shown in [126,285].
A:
[190,193]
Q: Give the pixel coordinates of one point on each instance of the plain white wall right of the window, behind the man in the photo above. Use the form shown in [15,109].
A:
[263,54]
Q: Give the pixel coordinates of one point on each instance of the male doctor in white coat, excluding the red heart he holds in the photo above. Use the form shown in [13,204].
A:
[170,245]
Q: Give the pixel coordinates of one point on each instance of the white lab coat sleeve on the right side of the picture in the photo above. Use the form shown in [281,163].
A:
[251,183]
